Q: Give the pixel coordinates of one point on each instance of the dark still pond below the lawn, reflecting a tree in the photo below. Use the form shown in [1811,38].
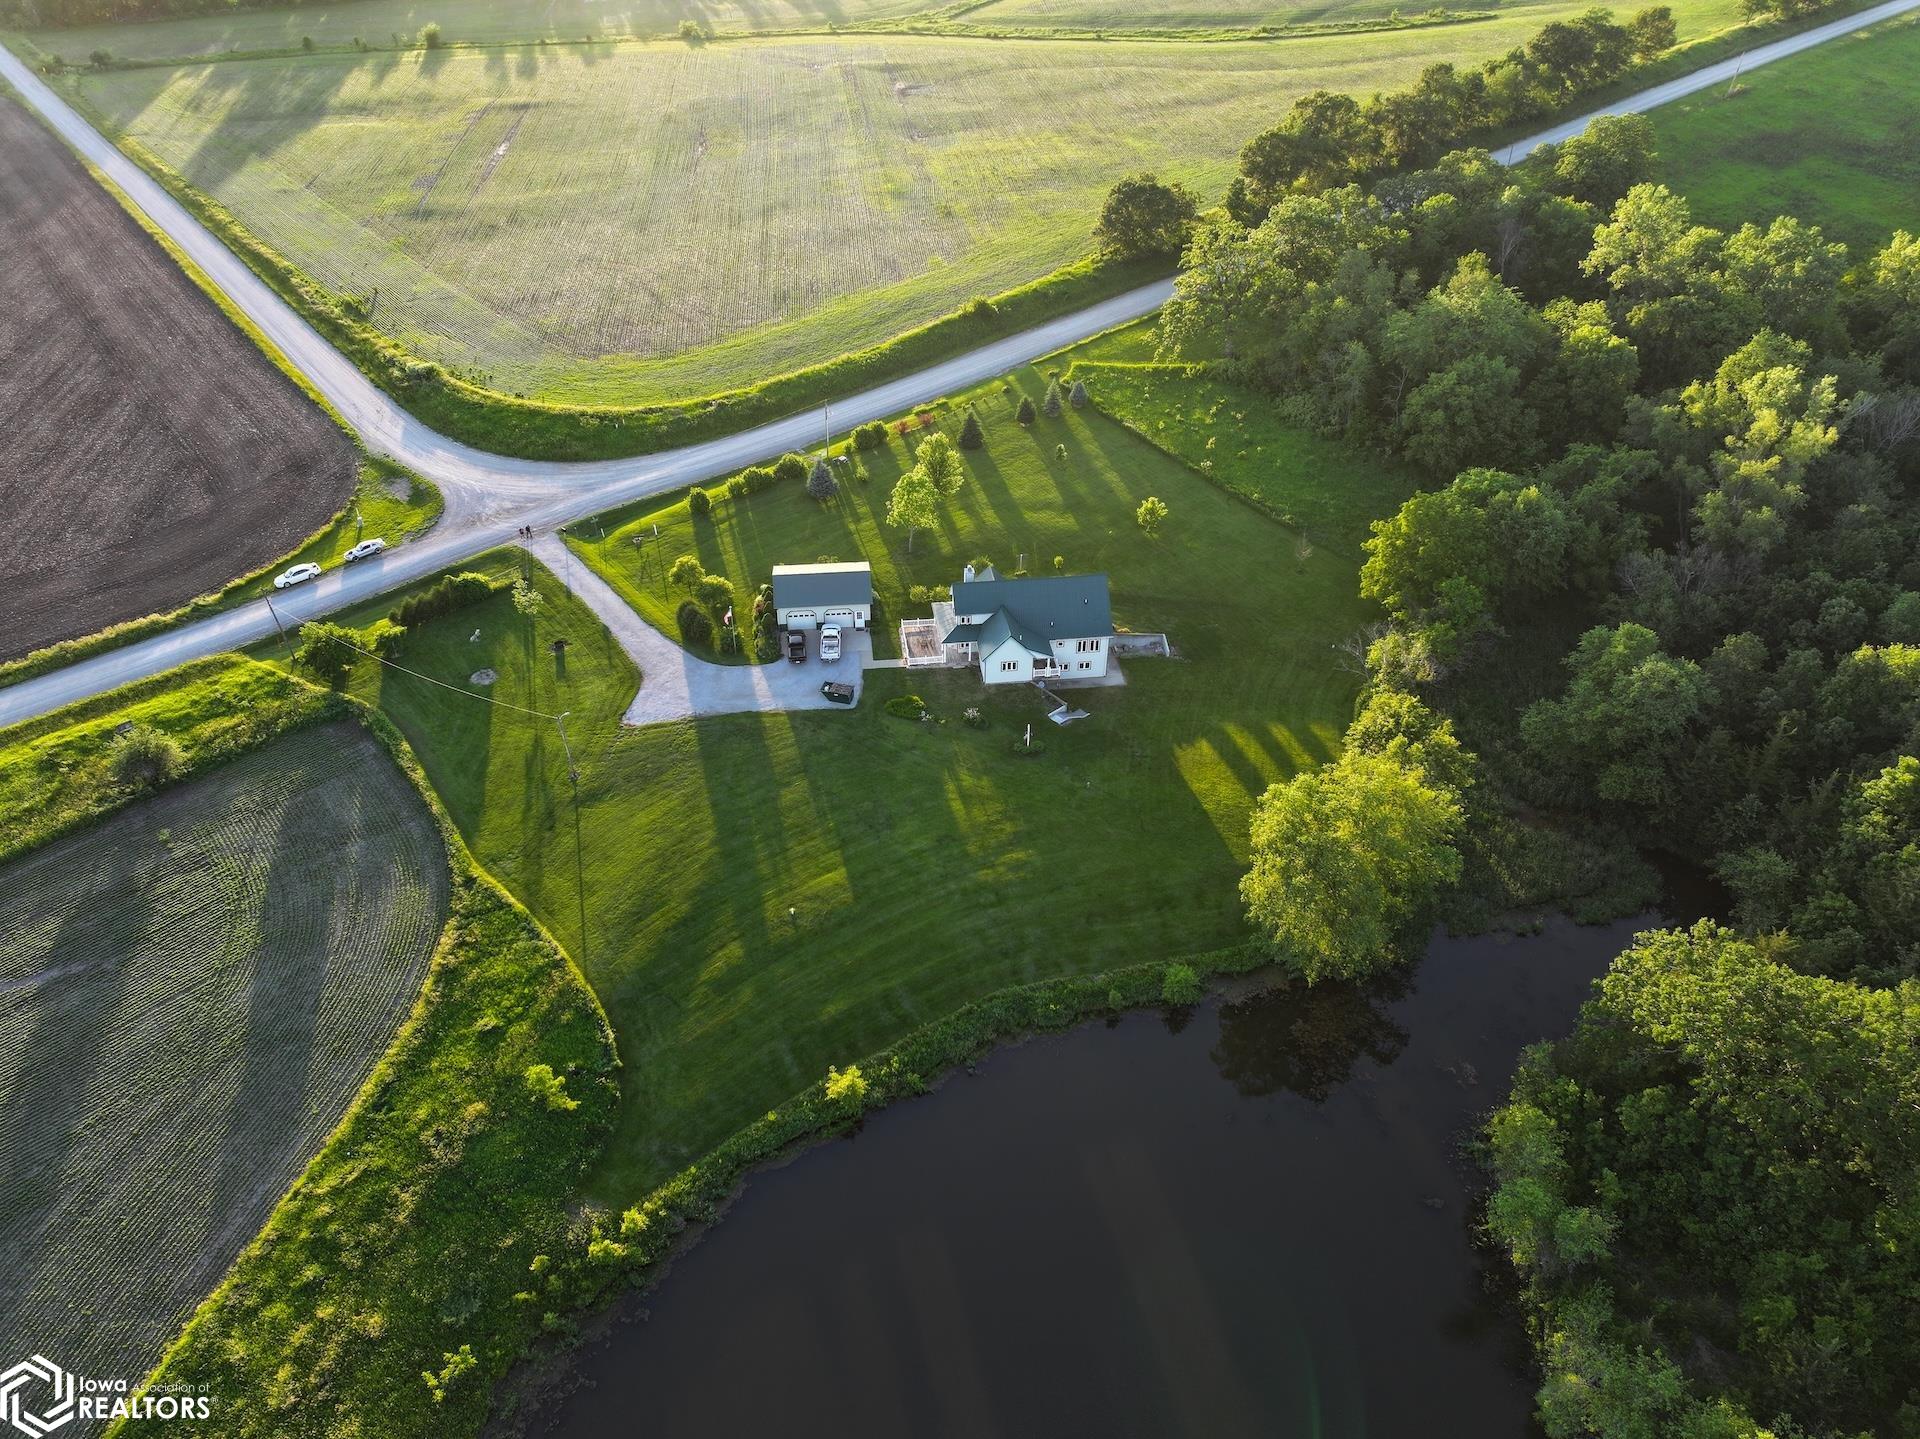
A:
[1245,1221]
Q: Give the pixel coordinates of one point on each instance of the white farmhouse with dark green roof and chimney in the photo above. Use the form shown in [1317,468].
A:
[1032,629]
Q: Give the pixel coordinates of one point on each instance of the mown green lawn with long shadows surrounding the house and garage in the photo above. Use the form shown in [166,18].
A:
[923,864]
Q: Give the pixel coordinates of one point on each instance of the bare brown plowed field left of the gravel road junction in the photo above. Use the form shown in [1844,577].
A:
[151,452]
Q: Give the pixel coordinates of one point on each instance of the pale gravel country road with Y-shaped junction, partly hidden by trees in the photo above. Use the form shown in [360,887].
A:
[492,497]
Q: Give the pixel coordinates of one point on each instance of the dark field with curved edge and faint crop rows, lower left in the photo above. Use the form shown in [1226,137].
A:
[191,994]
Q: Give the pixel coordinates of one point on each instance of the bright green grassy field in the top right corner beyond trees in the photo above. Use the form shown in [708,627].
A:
[1831,135]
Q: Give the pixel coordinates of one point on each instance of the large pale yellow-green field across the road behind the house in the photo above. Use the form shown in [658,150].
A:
[648,222]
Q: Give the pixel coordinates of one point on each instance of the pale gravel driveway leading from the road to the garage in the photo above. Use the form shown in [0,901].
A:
[675,685]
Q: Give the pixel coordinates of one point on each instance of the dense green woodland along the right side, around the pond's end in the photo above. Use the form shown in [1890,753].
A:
[1700,452]
